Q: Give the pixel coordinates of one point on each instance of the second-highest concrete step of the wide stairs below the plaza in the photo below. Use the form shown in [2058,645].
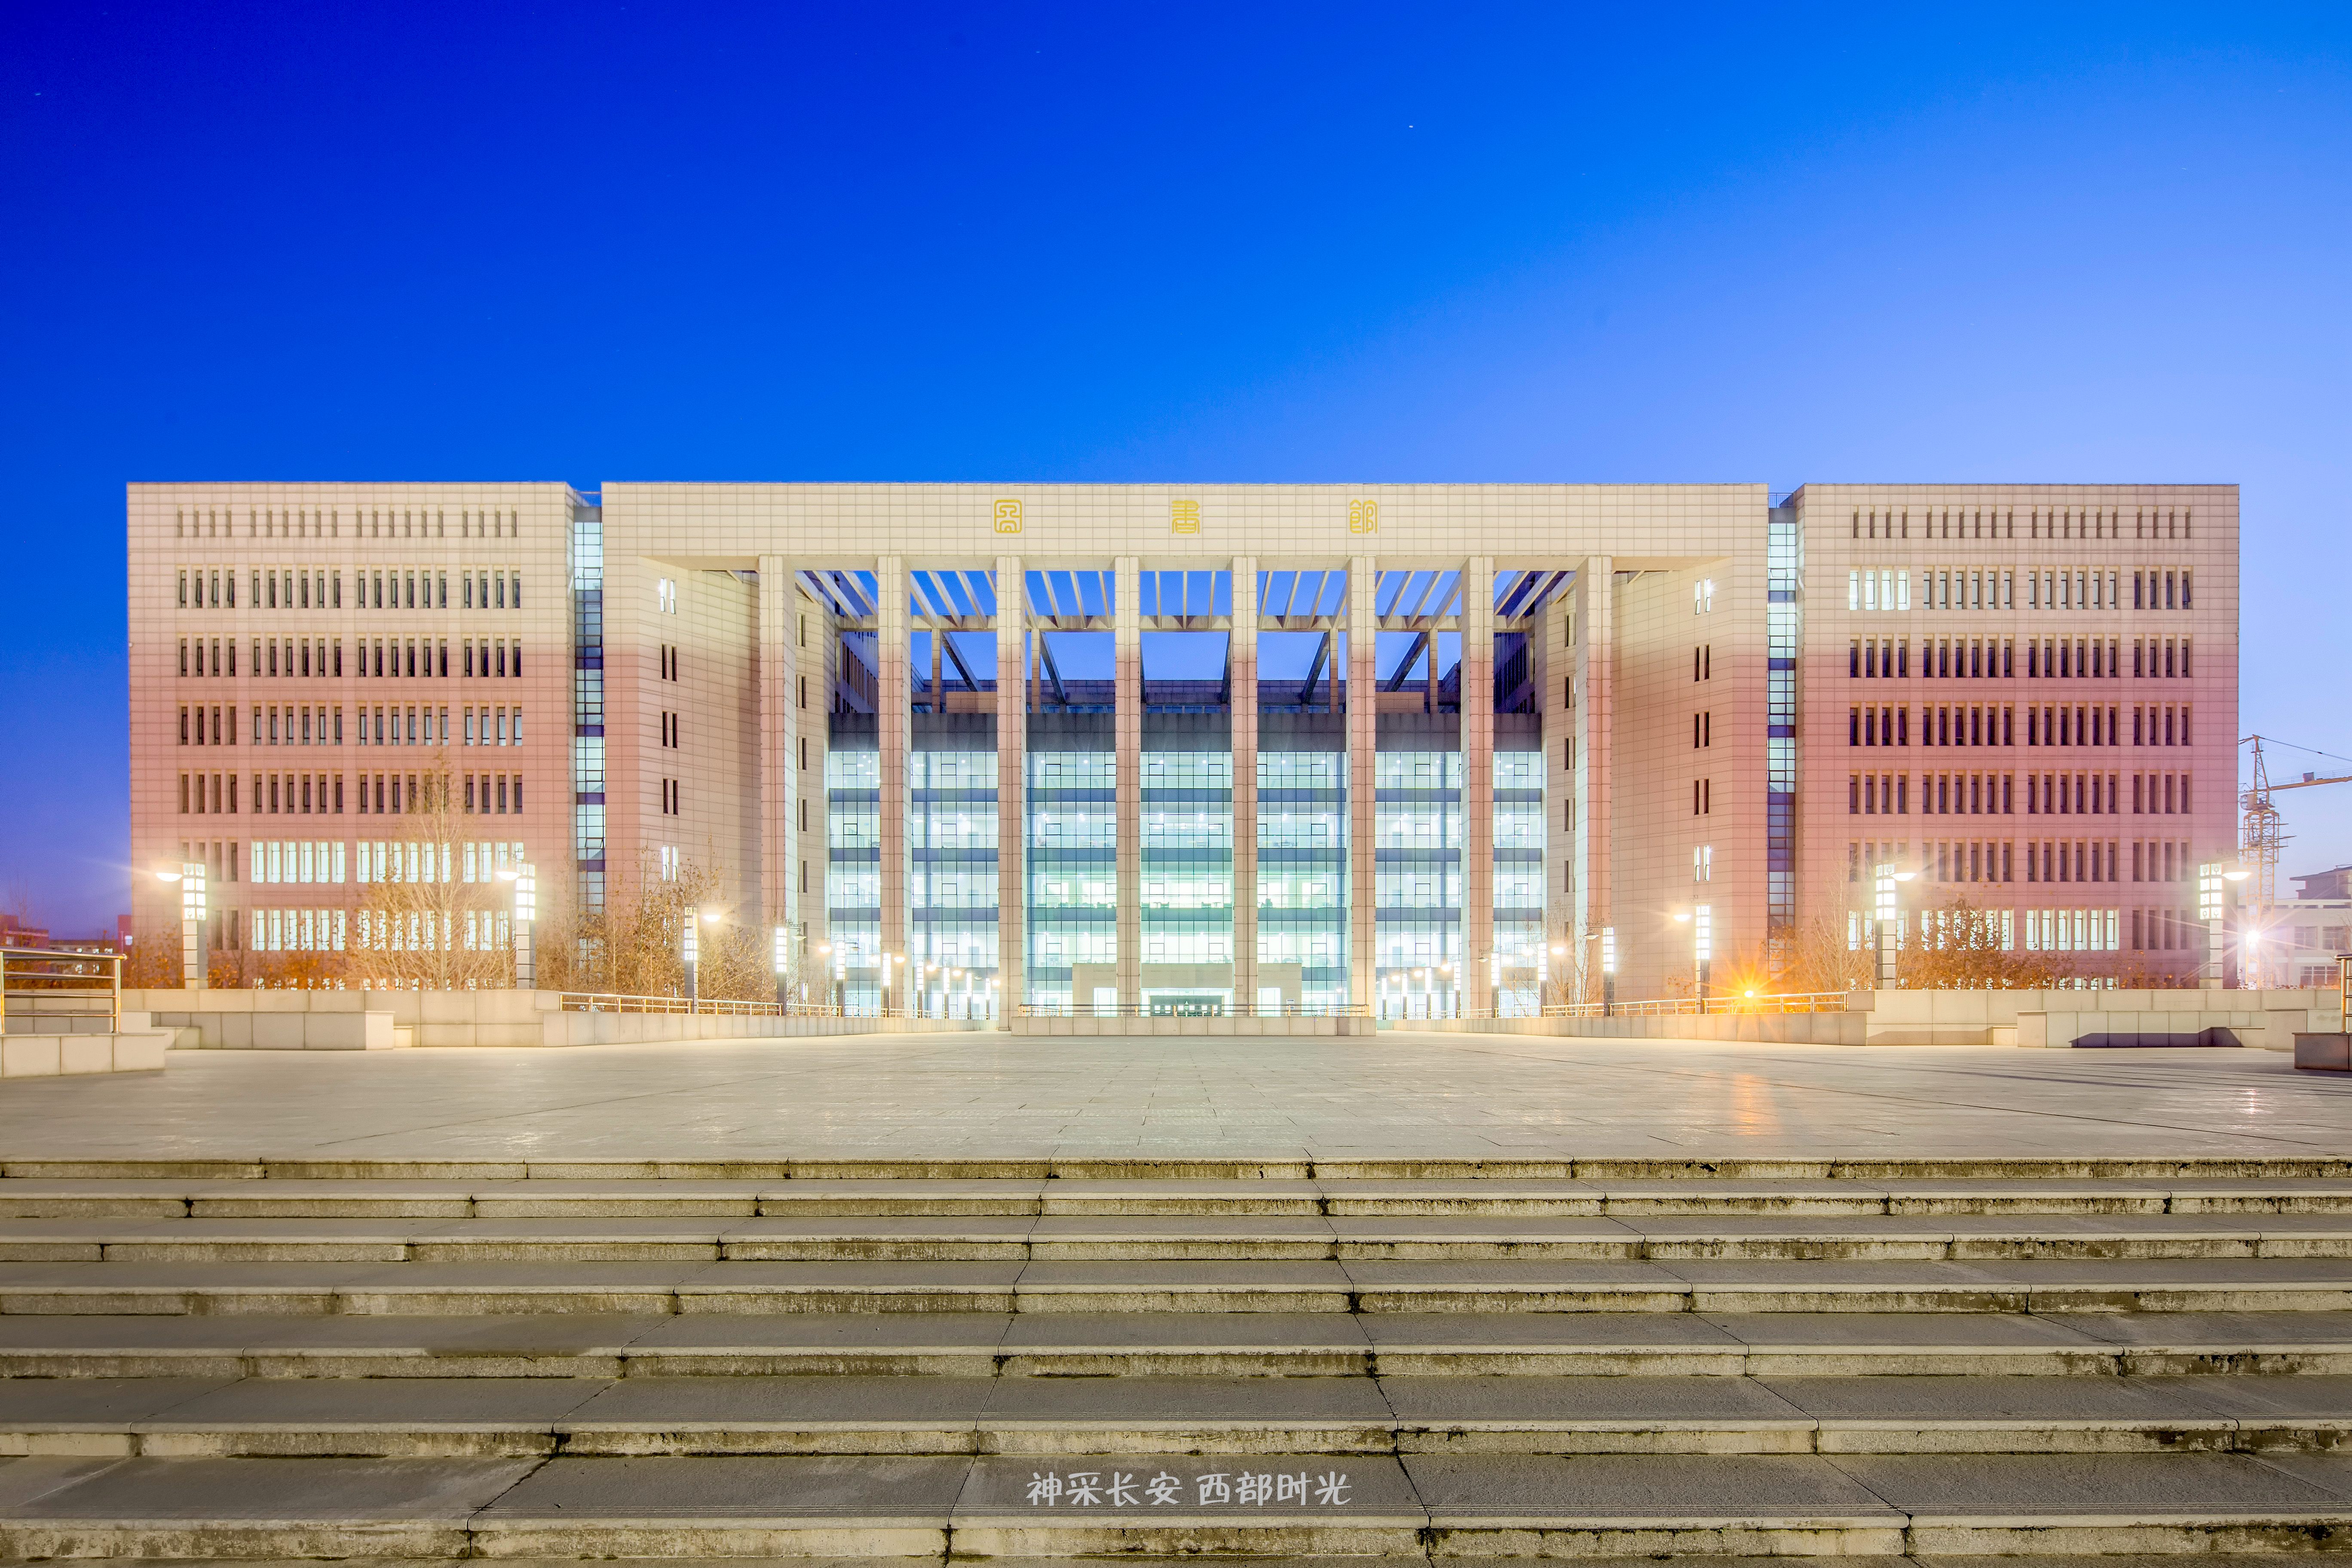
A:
[441,1191]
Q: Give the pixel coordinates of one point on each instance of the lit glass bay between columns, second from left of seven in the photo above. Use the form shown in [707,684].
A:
[954,880]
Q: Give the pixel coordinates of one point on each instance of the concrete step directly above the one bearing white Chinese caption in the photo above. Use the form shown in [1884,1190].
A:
[1151,1416]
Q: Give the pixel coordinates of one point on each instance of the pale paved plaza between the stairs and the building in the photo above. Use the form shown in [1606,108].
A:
[984,1094]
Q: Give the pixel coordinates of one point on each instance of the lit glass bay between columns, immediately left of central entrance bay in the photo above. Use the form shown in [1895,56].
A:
[1074,873]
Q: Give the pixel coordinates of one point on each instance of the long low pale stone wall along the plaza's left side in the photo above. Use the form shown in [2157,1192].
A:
[385,1021]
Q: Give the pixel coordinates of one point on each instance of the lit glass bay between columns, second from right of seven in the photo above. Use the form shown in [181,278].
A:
[1417,815]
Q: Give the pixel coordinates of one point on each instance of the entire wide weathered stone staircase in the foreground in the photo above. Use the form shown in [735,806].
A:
[1034,1360]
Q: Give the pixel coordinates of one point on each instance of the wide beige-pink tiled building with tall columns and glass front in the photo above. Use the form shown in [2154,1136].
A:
[1657,728]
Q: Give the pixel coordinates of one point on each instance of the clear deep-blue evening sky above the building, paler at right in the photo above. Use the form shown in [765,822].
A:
[601,241]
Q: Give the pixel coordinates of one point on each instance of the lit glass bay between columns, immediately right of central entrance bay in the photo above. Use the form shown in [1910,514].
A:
[1304,871]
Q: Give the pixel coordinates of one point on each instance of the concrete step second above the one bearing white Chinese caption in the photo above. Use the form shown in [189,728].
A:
[1165,1343]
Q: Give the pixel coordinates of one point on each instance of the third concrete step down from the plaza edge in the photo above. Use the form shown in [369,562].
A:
[1311,1238]
